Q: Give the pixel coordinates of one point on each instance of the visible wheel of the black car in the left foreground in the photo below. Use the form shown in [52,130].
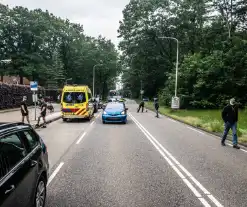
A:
[40,194]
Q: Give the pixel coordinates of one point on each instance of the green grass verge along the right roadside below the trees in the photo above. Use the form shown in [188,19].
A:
[209,120]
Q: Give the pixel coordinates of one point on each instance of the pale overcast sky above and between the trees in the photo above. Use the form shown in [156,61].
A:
[97,16]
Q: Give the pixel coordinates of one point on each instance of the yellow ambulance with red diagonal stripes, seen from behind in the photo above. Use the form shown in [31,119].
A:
[76,102]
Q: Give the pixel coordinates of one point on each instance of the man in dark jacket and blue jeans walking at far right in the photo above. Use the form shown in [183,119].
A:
[230,118]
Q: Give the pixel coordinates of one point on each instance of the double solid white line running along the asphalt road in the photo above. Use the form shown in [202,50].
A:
[163,151]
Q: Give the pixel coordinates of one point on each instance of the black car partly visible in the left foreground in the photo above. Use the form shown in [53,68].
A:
[24,166]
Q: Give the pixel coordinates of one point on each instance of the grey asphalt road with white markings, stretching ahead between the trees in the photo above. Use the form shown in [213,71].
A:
[147,162]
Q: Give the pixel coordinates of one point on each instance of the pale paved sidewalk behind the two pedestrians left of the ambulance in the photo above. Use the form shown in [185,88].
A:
[15,116]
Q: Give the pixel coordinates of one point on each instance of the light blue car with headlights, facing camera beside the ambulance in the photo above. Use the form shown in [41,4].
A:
[115,112]
